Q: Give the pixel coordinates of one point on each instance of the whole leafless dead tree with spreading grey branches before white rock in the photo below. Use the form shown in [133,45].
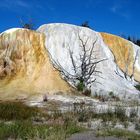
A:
[84,72]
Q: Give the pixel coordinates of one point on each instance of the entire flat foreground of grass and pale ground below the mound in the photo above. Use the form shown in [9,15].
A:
[63,117]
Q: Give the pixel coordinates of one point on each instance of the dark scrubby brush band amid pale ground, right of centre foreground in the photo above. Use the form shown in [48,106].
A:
[84,114]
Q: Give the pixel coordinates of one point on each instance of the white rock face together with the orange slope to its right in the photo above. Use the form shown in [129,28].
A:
[60,38]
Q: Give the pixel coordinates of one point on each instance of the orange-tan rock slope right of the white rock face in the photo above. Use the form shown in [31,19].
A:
[124,54]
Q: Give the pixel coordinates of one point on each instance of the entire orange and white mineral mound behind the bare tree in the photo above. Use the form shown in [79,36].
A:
[30,61]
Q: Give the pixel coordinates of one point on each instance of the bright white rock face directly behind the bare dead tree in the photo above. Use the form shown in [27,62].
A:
[60,38]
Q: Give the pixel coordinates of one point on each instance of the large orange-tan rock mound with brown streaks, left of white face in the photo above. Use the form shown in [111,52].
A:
[25,67]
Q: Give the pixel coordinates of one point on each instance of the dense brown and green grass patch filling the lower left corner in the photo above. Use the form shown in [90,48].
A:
[18,121]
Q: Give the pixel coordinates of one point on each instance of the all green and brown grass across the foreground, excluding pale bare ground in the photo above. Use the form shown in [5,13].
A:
[21,122]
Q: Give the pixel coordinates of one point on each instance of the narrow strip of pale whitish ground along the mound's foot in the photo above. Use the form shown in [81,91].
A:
[99,104]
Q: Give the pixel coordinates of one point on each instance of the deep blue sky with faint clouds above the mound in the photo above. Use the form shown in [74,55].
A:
[112,16]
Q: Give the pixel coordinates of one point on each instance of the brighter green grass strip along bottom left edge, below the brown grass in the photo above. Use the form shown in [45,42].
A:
[28,130]
